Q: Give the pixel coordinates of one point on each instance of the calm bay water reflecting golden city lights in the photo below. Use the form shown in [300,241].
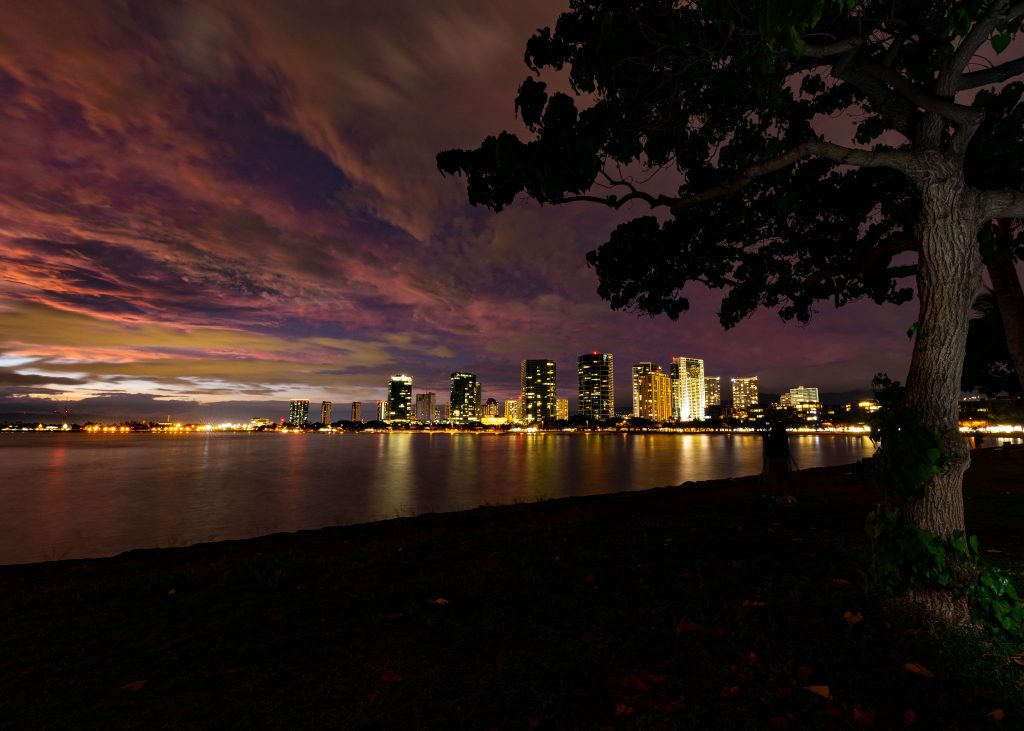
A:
[77,496]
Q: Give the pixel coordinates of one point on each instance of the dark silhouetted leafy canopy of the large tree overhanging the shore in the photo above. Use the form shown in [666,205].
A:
[790,141]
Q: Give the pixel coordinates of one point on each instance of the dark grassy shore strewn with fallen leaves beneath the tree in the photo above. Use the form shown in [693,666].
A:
[685,608]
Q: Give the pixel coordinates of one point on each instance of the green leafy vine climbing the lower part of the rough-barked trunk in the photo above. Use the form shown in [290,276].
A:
[904,556]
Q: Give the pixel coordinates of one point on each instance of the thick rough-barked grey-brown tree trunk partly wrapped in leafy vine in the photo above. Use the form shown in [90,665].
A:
[950,270]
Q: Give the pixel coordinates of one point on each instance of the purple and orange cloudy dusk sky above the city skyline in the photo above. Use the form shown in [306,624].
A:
[204,203]
